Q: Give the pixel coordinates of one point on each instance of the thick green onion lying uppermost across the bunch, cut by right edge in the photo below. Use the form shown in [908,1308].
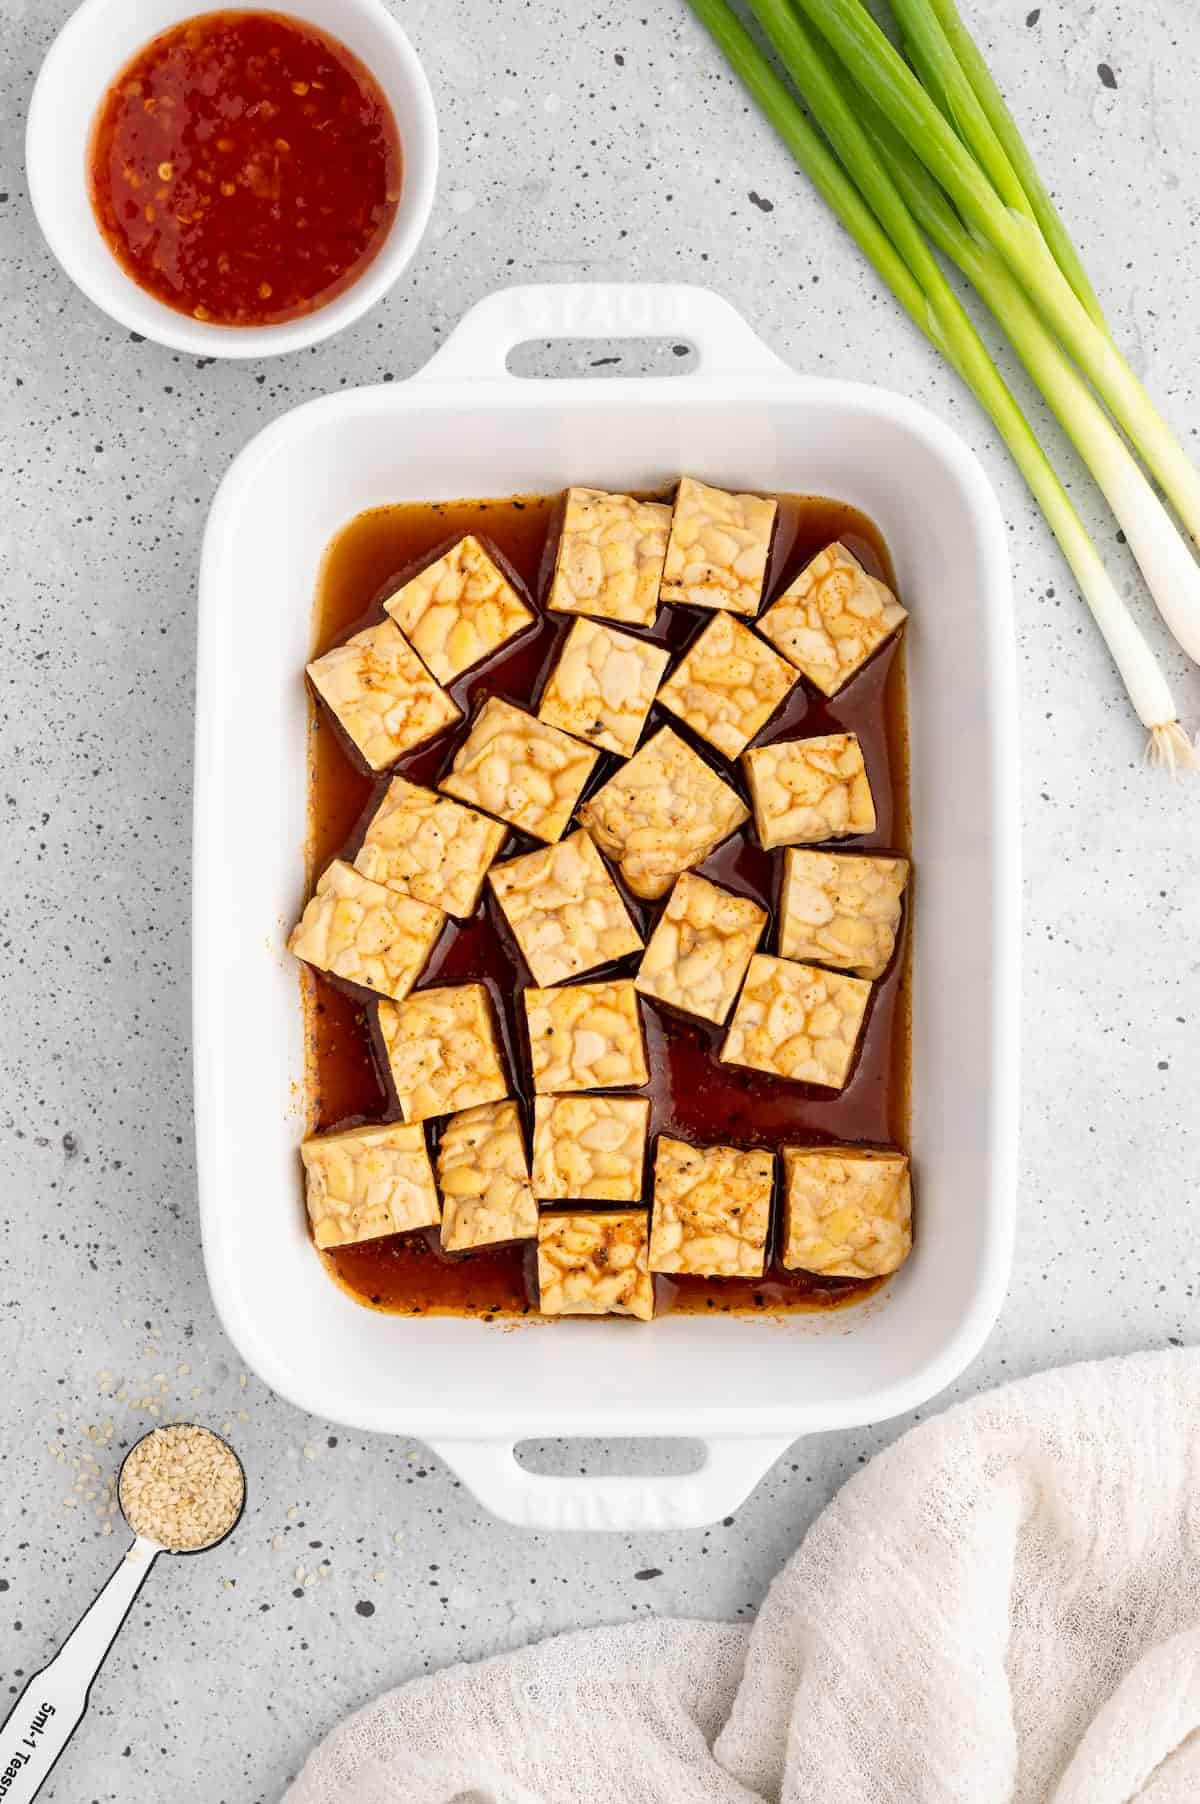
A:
[883,73]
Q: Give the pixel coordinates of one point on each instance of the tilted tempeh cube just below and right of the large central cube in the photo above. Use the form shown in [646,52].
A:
[699,952]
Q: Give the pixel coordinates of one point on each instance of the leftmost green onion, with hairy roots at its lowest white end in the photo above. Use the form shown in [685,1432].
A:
[921,288]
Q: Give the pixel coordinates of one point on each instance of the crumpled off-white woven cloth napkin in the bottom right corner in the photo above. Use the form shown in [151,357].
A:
[1002,1606]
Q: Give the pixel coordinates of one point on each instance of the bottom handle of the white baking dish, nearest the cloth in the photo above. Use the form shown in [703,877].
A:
[533,1500]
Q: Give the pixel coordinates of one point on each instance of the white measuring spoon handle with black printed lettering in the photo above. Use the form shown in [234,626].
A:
[50,1709]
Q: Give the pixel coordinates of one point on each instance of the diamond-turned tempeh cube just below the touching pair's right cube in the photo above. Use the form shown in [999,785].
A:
[728,686]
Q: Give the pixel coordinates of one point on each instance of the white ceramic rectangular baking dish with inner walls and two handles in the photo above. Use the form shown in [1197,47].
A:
[465,427]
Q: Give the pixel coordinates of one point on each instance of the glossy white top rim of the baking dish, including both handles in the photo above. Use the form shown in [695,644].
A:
[741,1442]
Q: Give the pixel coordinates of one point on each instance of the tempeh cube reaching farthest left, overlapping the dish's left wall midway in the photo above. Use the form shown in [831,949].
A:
[365,934]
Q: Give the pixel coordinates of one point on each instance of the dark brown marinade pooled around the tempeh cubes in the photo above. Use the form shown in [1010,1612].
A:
[692,1094]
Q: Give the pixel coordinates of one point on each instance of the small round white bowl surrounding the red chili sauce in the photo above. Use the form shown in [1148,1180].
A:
[93,48]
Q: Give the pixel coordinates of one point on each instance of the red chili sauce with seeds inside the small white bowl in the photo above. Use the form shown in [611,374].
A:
[245,169]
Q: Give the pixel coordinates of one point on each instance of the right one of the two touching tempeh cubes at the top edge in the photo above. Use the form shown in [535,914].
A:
[717,551]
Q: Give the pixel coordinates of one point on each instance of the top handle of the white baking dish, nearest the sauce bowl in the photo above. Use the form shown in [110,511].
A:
[483,340]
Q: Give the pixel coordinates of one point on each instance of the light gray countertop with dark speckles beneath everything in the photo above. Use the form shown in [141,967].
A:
[602,142]
